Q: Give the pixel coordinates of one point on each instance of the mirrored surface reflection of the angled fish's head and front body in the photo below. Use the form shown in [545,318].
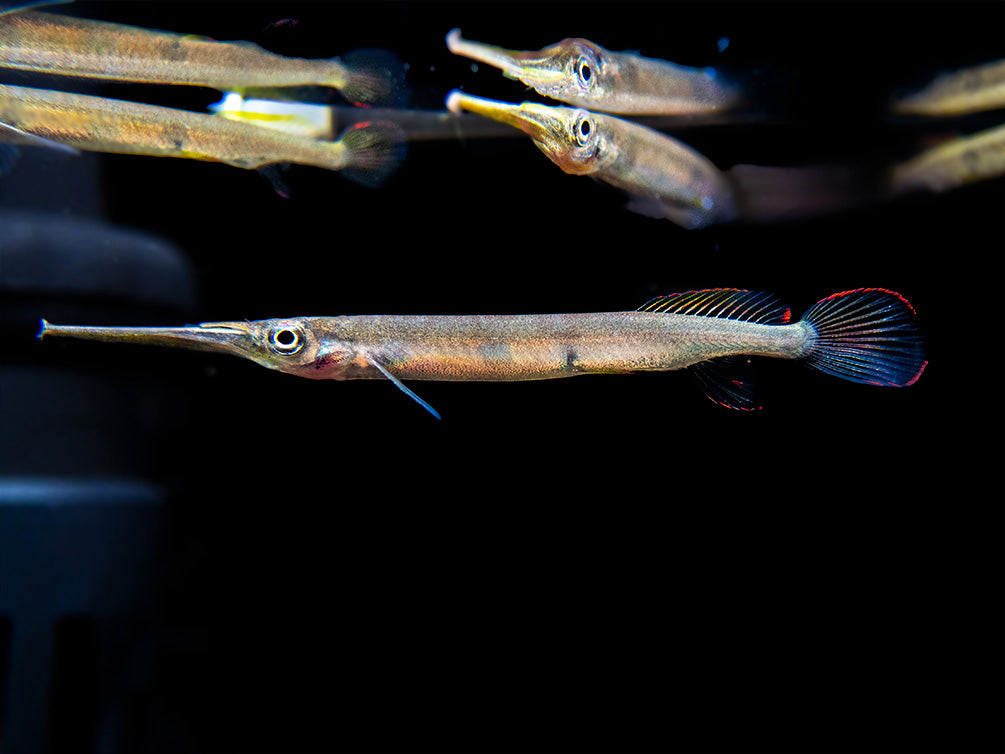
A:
[579,73]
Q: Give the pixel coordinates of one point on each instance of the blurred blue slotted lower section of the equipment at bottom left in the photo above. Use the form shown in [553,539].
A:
[78,565]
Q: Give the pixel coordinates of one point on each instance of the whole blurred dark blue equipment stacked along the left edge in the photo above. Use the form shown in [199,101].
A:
[80,516]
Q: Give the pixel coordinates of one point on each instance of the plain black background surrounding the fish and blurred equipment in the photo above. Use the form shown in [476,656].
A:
[610,563]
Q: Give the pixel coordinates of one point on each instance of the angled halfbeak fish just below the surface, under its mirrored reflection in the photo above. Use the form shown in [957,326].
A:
[665,177]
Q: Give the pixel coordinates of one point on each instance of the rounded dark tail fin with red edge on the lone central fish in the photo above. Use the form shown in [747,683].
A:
[869,335]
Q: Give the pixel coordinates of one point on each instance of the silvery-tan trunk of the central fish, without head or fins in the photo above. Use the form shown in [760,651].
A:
[534,347]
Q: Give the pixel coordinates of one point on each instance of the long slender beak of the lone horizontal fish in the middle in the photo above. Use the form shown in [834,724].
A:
[236,338]
